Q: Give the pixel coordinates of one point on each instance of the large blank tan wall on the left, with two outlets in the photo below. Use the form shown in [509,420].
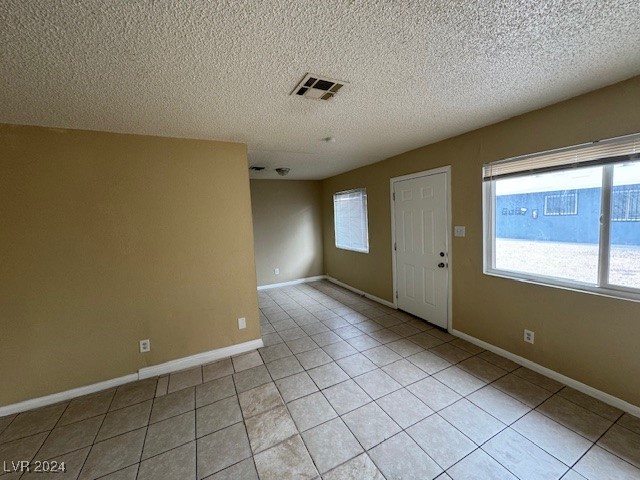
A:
[108,239]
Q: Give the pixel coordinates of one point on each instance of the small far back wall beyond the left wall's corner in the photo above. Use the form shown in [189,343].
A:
[287,228]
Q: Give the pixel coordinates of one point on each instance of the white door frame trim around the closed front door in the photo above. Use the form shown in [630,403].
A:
[435,171]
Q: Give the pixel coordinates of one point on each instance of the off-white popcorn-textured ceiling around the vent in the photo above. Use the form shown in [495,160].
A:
[418,71]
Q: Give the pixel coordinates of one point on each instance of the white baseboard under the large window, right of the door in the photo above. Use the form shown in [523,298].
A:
[581,387]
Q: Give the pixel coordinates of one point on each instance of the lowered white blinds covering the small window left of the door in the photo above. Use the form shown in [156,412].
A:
[350,216]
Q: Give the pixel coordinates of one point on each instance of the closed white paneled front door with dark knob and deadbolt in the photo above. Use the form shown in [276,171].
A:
[421,246]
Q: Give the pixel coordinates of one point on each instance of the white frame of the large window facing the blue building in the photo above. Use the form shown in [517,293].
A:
[604,287]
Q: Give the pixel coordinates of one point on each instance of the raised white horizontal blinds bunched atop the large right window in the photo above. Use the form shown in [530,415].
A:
[612,150]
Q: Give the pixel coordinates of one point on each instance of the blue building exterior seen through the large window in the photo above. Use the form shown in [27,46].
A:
[568,216]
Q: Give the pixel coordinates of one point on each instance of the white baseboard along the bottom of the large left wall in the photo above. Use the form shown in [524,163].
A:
[148,372]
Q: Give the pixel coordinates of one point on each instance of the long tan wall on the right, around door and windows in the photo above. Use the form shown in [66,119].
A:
[590,338]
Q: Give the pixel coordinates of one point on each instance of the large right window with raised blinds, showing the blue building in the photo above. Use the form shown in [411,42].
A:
[568,218]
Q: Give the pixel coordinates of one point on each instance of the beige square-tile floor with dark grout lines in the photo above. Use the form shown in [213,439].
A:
[344,389]
